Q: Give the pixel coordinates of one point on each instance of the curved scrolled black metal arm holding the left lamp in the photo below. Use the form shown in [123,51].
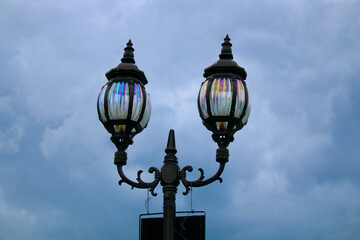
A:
[120,161]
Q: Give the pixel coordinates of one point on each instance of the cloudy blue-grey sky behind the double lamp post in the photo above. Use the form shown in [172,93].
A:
[293,170]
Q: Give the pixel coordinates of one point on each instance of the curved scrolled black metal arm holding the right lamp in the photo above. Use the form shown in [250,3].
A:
[222,156]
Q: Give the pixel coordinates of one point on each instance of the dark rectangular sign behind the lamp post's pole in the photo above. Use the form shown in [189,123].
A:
[188,227]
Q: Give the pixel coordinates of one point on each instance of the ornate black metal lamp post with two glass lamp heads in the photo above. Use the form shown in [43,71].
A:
[124,109]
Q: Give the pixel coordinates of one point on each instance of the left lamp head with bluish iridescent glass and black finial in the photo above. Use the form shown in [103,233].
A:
[123,105]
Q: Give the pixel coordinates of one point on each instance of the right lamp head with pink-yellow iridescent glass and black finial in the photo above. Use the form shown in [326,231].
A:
[223,101]
